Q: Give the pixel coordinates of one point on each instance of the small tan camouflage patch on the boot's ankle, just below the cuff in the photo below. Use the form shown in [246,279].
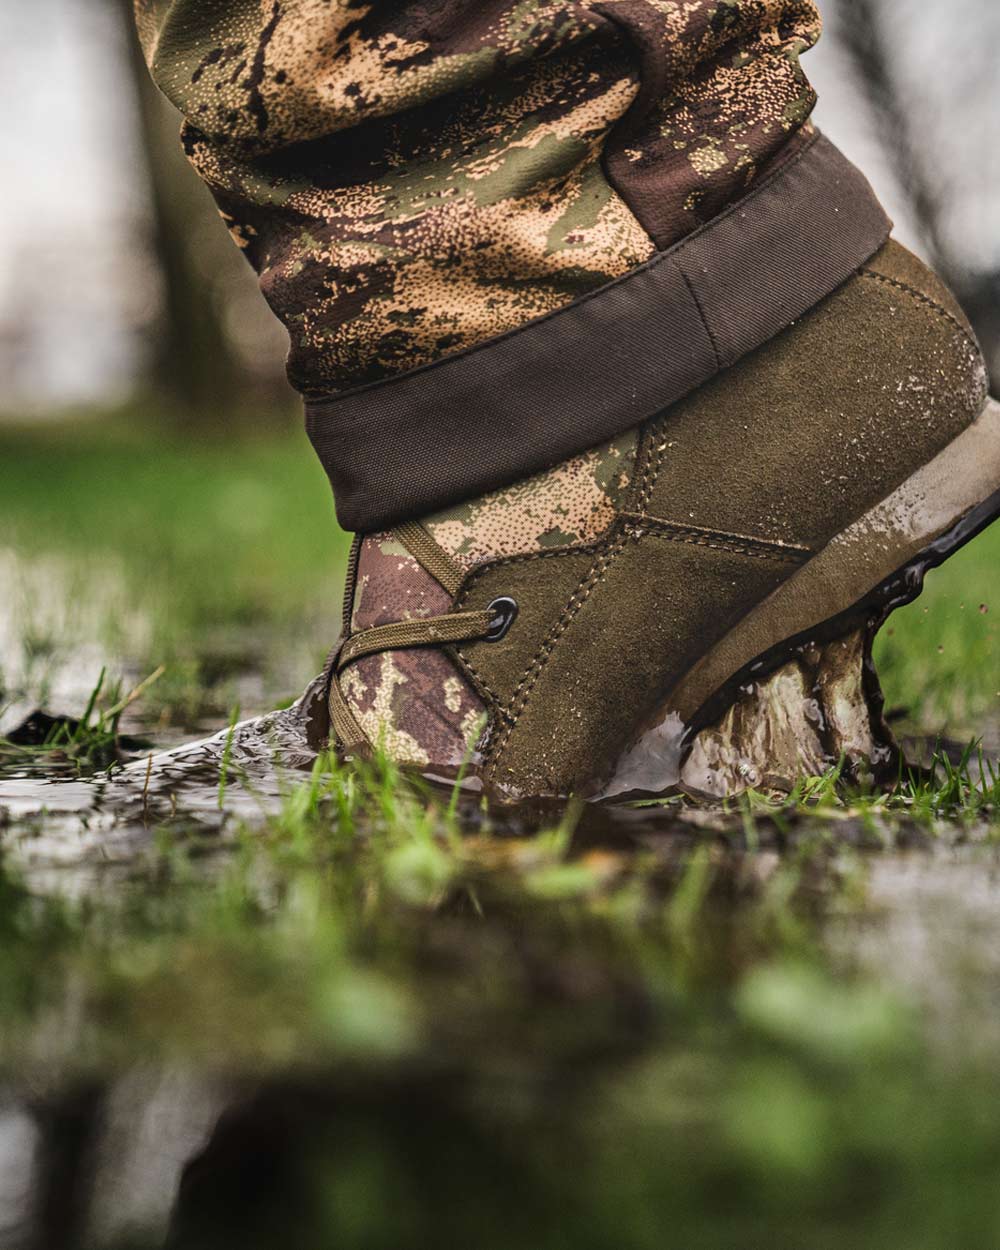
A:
[568,506]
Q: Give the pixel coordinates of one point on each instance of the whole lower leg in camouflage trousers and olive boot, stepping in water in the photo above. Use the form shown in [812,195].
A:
[501,236]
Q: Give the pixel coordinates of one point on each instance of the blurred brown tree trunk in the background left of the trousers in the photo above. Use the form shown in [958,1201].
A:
[208,288]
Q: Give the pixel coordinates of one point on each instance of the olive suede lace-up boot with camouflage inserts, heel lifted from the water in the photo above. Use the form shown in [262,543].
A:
[589,629]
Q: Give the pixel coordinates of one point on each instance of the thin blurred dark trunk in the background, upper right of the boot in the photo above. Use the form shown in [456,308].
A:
[863,33]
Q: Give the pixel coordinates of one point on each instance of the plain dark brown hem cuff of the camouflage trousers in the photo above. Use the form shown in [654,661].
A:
[523,402]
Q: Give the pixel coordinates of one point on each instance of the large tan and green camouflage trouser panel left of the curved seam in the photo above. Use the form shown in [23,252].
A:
[408,181]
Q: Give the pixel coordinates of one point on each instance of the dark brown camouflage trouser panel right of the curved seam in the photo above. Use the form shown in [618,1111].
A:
[729,97]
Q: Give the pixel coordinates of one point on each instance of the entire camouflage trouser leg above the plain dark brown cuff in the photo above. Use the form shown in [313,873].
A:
[412,178]
